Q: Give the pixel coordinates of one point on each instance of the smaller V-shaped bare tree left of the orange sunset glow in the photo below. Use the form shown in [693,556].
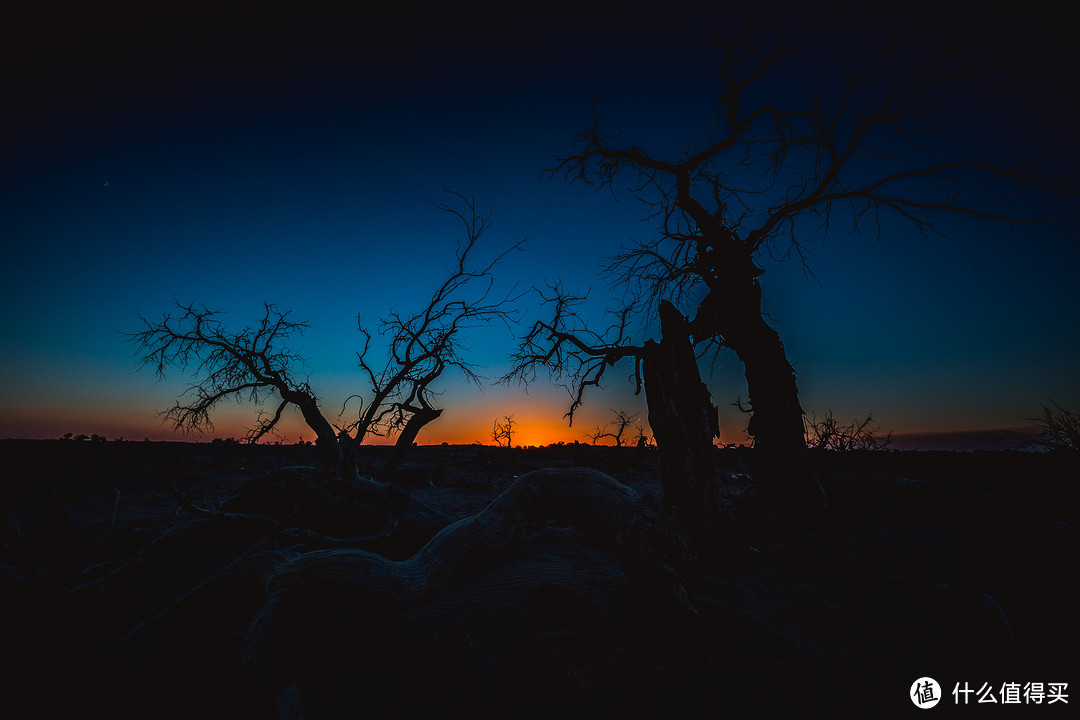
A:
[255,364]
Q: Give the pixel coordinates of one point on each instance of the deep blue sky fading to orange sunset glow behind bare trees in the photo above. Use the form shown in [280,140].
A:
[238,156]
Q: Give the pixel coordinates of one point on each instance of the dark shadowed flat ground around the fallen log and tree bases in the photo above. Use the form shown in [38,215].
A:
[126,591]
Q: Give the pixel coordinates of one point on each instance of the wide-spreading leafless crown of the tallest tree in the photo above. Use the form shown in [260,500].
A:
[866,151]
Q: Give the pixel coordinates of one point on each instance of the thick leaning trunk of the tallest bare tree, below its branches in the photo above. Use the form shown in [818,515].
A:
[733,311]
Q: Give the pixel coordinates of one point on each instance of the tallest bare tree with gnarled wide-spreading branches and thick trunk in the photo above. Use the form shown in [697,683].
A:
[767,179]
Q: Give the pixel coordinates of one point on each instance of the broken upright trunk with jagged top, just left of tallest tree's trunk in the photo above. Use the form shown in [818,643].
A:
[684,423]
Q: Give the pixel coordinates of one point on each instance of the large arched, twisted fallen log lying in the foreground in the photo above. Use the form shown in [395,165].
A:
[316,596]
